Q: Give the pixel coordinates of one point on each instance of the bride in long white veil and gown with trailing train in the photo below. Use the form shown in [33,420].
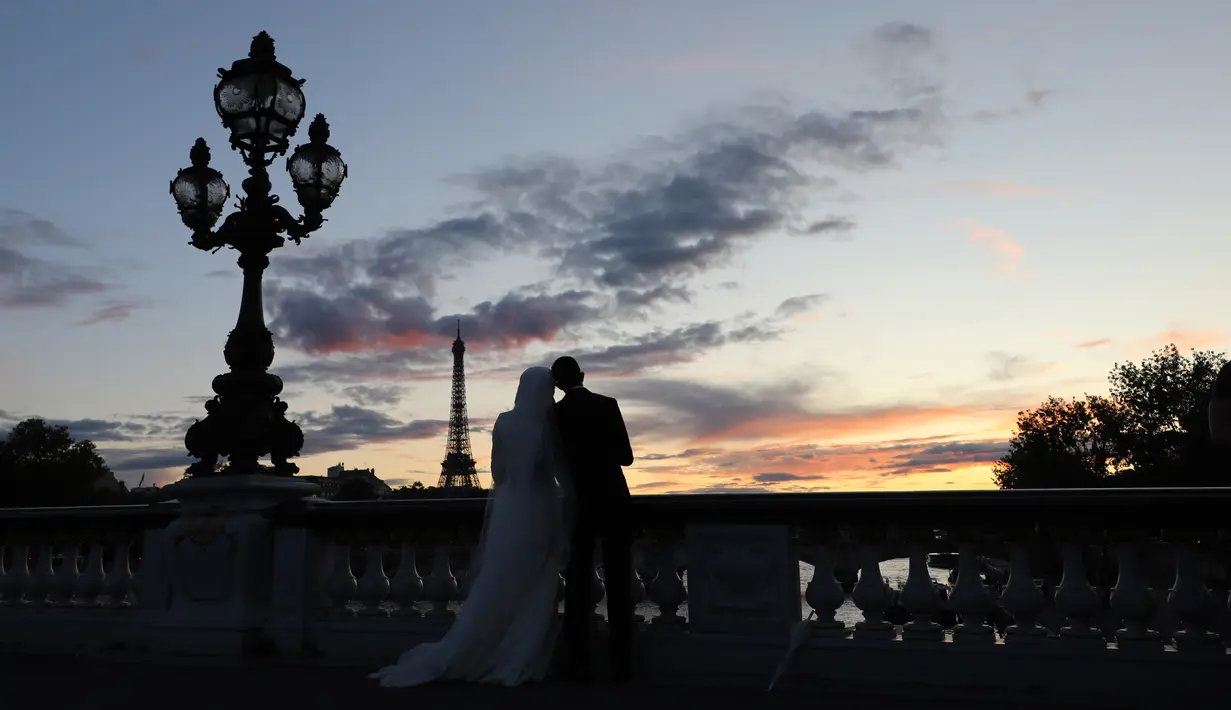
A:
[507,629]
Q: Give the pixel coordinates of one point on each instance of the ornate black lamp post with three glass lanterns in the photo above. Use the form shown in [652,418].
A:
[262,104]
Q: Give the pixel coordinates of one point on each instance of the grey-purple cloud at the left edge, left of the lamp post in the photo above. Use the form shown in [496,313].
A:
[31,280]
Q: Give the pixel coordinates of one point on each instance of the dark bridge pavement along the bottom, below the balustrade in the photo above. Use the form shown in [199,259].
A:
[204,685]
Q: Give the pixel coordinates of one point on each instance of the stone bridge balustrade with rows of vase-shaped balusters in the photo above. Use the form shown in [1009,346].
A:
[1105,595]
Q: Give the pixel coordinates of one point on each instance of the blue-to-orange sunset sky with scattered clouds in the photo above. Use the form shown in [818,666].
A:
[807,244]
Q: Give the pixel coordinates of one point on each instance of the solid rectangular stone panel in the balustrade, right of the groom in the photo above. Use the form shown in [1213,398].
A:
[743,580]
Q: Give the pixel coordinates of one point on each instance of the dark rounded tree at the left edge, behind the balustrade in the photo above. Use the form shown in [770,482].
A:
[42,466]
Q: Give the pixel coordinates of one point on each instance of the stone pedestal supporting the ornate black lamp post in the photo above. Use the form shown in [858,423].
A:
[215,592]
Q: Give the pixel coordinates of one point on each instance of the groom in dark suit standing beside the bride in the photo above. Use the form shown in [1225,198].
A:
[596,446]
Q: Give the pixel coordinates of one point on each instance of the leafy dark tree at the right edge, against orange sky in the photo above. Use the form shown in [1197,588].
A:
[1150,431]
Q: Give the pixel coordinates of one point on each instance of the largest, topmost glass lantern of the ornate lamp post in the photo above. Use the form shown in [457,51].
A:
[259,102]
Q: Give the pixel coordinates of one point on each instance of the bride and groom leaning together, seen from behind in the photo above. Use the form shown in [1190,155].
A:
[558,493]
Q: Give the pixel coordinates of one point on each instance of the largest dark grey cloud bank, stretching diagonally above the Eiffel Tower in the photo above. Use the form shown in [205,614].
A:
[624,237]
